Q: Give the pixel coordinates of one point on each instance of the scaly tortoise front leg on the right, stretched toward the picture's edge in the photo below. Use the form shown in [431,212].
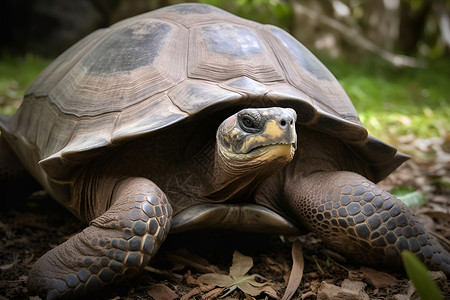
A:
[359,219]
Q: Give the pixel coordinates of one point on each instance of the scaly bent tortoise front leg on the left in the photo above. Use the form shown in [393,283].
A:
[116,245]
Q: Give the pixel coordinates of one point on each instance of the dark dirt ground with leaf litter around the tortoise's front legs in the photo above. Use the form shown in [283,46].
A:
[30,226]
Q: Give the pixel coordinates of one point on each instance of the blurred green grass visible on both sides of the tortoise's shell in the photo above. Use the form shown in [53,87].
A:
[391,102]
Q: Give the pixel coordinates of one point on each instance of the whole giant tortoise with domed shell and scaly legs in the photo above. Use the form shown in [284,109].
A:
[189,117]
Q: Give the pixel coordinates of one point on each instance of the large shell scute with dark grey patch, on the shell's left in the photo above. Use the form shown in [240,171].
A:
[126,67]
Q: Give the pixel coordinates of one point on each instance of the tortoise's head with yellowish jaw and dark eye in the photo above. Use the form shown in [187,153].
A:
[258,137]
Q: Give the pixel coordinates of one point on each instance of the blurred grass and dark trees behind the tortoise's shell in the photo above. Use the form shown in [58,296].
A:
[391,56]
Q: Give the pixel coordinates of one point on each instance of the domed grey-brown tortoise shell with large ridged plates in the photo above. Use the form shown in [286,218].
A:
[151,71]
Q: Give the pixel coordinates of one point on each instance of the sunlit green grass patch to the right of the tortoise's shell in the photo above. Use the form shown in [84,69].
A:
[395,102]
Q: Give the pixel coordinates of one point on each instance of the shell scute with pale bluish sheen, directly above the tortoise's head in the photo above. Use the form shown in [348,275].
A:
[211,54]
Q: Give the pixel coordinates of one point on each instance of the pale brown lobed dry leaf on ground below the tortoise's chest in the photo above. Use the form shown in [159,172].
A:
[252,285]
